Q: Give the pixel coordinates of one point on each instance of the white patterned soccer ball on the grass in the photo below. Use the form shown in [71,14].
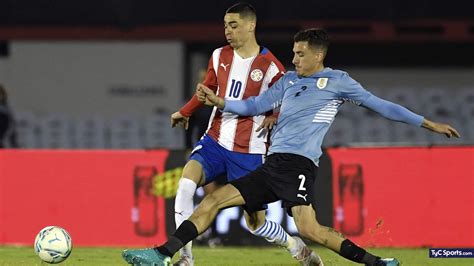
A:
[53,244]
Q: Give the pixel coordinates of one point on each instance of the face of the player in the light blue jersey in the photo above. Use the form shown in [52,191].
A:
[307,60]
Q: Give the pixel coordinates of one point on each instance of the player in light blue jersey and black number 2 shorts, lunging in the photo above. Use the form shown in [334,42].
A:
[309,99]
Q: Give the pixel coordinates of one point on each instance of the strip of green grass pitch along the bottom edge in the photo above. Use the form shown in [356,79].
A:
[222,256]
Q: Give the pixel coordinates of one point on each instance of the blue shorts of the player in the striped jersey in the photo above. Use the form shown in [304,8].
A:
[217,160]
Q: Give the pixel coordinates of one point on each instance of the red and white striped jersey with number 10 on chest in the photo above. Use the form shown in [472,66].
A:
[237,78]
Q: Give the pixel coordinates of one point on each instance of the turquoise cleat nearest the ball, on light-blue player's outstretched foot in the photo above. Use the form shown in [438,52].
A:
[148,257]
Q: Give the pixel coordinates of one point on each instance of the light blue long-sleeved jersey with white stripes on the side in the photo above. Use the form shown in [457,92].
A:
[308,106]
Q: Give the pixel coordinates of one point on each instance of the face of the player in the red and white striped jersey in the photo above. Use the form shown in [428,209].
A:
[237,30]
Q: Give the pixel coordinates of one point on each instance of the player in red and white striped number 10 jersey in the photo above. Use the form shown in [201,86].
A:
[234,145]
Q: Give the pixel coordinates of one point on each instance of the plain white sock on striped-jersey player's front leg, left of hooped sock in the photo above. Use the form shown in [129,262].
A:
[184,207]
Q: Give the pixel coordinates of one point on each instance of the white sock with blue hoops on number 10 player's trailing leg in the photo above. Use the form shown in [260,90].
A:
[274,233]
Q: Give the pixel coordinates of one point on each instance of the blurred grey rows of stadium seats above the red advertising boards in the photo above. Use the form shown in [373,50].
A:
[355,126]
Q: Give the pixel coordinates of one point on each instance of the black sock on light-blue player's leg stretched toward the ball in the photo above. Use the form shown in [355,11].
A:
[186,232]
